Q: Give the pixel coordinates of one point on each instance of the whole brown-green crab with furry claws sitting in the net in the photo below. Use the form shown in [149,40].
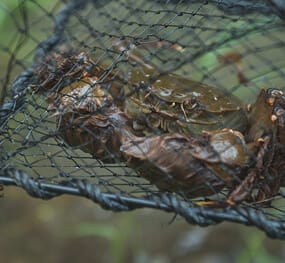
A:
[183,136]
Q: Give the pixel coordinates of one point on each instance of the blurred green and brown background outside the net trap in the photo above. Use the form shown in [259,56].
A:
[73,229]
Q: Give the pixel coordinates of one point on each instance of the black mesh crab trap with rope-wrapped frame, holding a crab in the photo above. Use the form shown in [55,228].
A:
[170,105]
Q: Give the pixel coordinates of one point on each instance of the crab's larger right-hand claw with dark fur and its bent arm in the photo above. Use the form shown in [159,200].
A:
[250,165]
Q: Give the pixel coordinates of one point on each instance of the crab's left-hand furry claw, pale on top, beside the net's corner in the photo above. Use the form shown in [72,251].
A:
[87,118]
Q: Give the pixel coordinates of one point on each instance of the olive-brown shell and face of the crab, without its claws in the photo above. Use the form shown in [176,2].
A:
[169,103]
